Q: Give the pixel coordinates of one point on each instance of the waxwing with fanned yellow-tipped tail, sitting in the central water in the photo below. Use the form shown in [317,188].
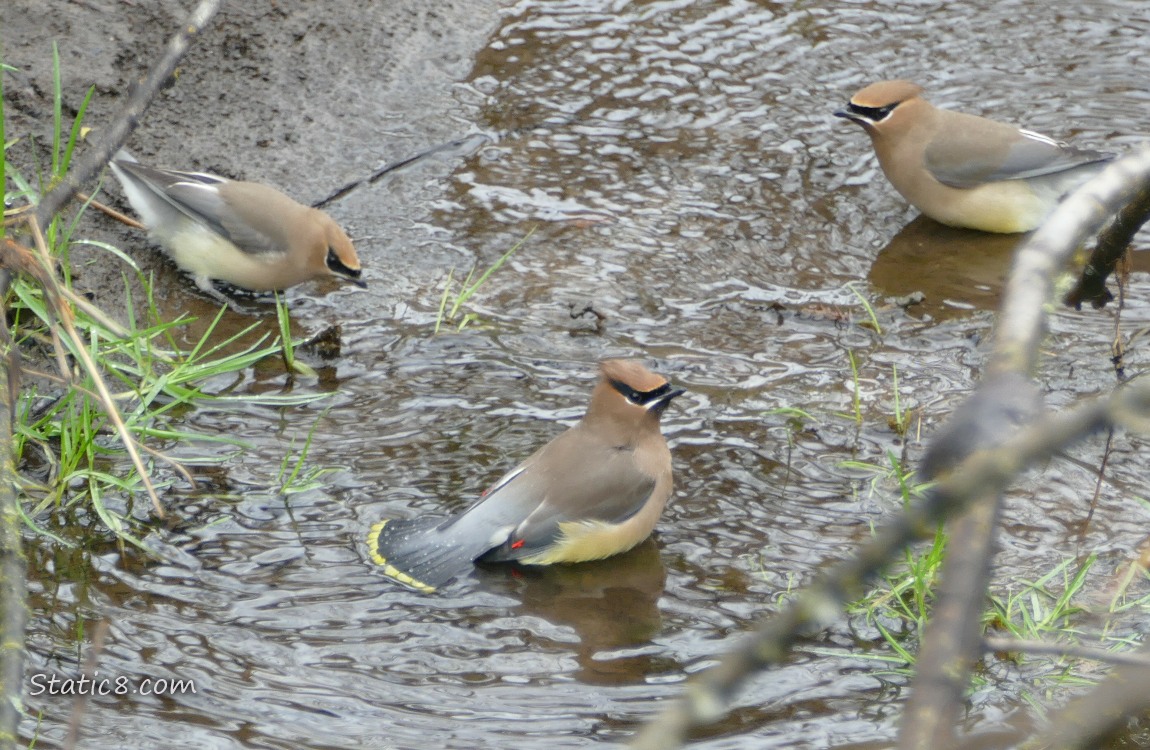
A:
[594,492]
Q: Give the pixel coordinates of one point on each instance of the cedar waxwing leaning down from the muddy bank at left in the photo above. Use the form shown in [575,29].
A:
[243,233]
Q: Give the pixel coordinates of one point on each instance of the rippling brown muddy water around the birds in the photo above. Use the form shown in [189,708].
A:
[685,179]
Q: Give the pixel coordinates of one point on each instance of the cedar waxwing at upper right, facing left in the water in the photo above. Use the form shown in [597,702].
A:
[965,171]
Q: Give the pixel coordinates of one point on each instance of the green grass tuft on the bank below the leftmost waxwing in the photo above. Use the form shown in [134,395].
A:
[102,400]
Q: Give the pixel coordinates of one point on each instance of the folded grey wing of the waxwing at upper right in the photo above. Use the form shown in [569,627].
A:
[965,162]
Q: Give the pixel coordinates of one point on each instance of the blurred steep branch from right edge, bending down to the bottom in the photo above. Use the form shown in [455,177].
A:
[1007,399]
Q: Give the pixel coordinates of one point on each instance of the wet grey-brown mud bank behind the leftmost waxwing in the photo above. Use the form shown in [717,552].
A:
[305,97]
